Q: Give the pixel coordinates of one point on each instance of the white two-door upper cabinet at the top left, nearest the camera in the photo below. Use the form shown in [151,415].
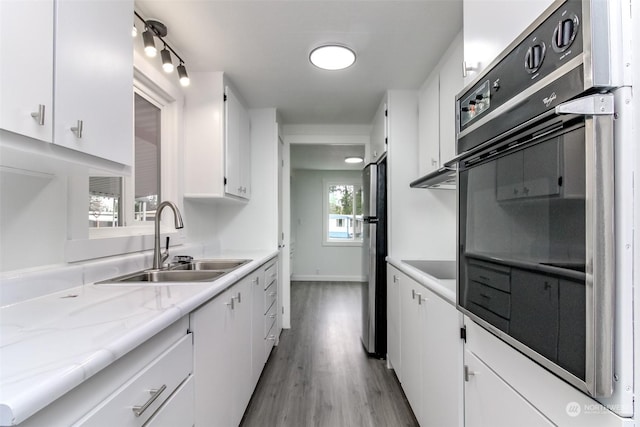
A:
[92,83]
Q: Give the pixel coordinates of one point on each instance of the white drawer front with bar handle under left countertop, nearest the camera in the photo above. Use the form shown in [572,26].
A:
[164,374]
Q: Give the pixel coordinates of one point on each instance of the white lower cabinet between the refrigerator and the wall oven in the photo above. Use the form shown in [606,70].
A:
[430,352]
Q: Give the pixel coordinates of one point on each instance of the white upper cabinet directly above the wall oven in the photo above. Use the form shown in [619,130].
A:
[490,26]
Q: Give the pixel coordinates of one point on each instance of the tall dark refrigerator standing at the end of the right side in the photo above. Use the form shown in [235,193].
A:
[374,235]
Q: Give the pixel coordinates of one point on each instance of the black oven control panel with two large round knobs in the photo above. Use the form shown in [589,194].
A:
[549,46]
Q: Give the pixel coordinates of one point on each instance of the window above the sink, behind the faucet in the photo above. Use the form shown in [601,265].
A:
[108,206]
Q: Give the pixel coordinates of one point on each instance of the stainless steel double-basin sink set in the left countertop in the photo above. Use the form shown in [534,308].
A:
[203,270]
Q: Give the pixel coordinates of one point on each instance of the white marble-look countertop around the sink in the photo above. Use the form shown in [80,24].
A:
[51,344]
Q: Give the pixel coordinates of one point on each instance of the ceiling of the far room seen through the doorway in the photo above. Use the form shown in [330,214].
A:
[325,157]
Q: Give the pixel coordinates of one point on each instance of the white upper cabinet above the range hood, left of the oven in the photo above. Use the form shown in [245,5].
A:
[436,111]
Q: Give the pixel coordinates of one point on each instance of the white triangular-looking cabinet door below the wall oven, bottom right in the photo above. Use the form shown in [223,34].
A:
[491,402]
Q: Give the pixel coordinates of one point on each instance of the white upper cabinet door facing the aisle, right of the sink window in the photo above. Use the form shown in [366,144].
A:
[237,146]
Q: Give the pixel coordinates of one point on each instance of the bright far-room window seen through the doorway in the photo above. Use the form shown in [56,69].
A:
[343,213]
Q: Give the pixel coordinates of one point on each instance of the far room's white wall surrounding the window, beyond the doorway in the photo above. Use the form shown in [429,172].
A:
[312,260]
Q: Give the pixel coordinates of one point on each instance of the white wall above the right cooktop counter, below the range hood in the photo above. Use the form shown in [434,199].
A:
[422,223]
